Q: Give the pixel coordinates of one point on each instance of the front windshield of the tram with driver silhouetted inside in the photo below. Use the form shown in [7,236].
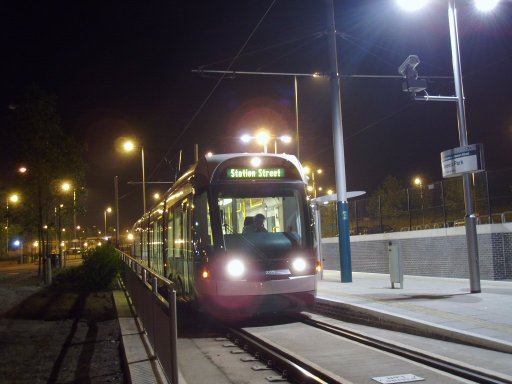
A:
[263,220]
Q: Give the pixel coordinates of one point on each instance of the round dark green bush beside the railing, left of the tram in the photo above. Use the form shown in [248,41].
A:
[101,265]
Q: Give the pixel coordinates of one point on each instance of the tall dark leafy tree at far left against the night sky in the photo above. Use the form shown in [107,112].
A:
[50,155]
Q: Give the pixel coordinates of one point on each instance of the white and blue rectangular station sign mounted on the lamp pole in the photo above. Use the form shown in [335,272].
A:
[457,161]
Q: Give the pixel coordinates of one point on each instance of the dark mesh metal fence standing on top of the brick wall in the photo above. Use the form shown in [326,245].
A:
[432,205]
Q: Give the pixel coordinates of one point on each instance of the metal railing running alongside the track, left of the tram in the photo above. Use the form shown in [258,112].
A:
[156,313]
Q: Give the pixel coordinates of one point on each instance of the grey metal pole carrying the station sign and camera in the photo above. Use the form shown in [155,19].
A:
[470,218]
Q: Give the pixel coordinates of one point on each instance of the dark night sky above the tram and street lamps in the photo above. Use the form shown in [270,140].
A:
[121,69]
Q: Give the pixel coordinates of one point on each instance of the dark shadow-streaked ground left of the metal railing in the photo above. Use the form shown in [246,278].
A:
[50,335]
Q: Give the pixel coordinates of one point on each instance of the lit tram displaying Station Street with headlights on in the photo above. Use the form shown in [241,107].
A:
[202,235]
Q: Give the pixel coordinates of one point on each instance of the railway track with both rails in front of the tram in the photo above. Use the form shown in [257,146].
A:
[296,366]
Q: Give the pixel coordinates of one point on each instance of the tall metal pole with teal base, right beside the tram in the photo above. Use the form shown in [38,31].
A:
[339,153]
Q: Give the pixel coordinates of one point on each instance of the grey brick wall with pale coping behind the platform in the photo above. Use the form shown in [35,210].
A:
[435,252]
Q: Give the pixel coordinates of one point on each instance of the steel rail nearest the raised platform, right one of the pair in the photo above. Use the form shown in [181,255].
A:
[422,358]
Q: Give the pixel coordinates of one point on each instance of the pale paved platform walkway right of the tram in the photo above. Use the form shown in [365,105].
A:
[436,306]
